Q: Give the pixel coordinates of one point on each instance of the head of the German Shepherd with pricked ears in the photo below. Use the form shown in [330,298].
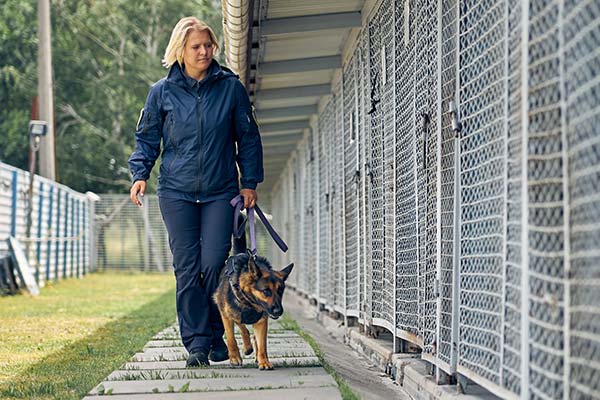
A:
[265,285]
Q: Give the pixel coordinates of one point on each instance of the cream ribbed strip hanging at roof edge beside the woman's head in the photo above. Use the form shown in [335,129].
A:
[237,21]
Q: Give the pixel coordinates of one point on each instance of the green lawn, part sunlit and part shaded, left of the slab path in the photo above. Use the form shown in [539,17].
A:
[60,344]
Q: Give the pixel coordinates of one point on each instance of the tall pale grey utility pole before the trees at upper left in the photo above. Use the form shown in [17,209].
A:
[45,91]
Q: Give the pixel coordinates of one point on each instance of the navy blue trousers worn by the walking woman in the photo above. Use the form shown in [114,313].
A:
[200,240]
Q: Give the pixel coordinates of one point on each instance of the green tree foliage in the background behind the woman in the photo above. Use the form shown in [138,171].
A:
[106,54]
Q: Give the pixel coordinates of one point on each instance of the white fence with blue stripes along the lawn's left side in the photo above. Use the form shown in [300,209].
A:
[52,223]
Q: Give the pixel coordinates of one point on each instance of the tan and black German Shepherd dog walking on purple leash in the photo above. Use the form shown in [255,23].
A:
[250,292]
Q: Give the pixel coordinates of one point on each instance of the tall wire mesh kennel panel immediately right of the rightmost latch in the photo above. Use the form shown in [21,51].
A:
[482,48]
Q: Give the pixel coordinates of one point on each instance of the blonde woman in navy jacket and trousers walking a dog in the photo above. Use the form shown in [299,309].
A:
[201,113]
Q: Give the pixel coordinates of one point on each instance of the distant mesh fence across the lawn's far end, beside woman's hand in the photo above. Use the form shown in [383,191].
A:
[131,237]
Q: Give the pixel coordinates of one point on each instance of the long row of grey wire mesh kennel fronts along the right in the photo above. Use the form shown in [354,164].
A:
[455,200]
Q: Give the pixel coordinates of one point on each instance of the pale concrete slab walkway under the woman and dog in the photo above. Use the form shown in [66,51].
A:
[159,373]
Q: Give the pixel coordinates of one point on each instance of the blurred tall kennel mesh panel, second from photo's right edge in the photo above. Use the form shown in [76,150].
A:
[546,205]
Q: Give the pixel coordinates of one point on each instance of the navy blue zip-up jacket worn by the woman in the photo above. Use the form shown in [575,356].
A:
[199,124]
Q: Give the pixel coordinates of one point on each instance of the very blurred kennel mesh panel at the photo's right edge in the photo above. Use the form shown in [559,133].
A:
[581,65]
